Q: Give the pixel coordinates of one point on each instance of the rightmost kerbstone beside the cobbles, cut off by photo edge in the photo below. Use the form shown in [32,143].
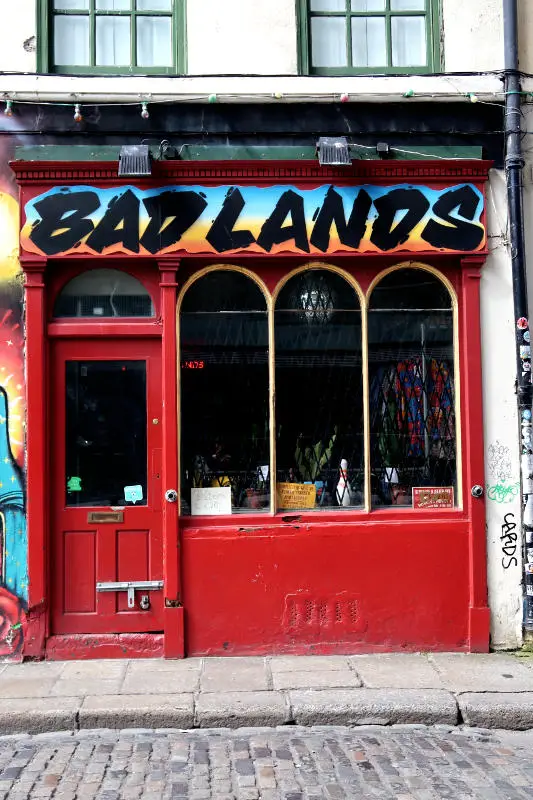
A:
[513,710]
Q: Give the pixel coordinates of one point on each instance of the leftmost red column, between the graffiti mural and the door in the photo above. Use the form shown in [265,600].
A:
[36,463]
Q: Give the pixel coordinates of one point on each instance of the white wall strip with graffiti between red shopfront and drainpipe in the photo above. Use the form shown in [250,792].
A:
[502,467]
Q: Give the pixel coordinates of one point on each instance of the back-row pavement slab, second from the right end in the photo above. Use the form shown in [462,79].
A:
[397,671]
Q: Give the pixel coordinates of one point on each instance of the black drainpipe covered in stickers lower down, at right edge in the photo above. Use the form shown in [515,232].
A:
[514,163]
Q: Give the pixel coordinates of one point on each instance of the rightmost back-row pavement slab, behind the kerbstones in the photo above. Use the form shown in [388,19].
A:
[471,672]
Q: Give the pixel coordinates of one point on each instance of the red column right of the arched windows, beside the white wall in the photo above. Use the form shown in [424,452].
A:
[473,455]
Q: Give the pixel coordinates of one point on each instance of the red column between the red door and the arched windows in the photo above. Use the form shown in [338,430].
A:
[174,634]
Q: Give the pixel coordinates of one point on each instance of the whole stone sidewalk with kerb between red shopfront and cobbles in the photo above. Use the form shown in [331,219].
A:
[485,691]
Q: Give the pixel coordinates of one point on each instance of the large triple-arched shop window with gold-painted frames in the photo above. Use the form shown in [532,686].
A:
[348,401]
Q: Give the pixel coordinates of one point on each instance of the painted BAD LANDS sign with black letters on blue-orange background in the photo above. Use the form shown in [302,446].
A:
[272,219]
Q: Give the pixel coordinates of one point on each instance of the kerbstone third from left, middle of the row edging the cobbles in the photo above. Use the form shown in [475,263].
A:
[235,709]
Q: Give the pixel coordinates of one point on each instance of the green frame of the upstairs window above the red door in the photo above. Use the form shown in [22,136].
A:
[47,12]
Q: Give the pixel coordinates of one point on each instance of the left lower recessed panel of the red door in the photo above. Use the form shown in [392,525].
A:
[79,579]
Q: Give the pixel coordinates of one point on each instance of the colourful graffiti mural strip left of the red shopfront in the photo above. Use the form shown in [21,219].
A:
[13,536]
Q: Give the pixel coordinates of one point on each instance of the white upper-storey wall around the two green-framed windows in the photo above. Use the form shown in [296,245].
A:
[244,37]
